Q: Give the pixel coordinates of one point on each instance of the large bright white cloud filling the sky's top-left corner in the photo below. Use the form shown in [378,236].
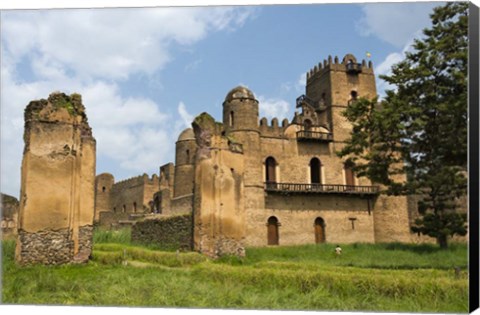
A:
[111,43]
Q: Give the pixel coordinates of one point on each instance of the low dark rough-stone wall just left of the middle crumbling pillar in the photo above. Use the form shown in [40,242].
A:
[167,232]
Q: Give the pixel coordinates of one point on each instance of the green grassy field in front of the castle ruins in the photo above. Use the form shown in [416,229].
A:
[367,277]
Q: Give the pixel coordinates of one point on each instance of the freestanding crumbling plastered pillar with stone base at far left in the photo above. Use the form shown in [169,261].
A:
[58,181]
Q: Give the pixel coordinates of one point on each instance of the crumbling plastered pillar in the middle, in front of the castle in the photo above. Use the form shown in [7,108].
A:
[219,212]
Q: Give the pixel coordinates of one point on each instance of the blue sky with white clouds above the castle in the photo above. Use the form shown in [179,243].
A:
[144,73]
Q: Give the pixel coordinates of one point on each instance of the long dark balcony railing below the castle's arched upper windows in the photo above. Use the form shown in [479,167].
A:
[291,188]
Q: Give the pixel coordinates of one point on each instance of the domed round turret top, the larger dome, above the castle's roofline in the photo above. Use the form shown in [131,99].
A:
[240,110]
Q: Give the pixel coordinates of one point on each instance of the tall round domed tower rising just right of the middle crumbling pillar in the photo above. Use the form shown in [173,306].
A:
[241,121]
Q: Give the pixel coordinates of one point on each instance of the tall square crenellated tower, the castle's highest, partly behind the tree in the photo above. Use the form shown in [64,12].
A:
[333,85]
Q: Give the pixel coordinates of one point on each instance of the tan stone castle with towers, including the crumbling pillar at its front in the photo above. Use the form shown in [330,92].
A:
[252,183]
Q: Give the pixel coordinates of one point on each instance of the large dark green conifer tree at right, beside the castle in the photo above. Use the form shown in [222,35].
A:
[419,131]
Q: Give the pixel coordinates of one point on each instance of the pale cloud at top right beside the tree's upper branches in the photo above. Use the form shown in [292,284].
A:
[394,22]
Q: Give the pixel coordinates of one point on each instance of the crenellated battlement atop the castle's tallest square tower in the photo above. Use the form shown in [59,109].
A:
[348,64]
